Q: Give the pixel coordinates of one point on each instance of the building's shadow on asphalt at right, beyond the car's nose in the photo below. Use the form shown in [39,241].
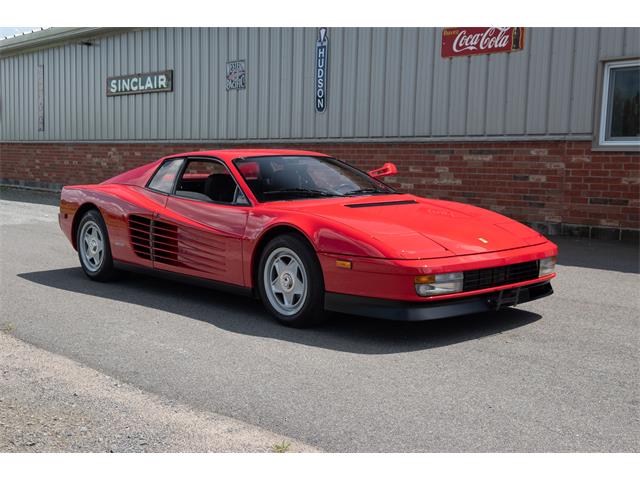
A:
[599,254]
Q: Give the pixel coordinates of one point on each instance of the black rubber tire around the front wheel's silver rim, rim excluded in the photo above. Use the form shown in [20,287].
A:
[312,312]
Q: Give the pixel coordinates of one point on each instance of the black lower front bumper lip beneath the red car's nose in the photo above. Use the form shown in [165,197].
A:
[416,311]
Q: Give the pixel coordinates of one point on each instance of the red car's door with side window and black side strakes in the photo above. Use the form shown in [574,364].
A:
[200,230]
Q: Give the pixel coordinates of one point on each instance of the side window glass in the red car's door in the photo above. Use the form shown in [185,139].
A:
[209,181]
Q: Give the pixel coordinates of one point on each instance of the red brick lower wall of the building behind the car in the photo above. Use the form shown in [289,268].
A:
[559,185]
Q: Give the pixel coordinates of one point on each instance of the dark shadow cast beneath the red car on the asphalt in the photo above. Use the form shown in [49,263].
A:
[246,316]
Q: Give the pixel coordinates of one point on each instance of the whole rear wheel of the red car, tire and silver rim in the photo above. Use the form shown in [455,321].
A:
[94,250]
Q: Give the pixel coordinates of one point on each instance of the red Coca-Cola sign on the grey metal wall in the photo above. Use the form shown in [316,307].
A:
[462,41]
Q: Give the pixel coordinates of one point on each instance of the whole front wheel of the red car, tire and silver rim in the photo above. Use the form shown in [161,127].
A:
[290,282]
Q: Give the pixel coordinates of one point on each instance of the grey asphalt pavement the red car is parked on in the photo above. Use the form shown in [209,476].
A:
[558,374]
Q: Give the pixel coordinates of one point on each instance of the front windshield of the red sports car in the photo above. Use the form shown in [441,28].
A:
[289,177]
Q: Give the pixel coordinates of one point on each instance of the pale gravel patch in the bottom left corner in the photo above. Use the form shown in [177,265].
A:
[49,403]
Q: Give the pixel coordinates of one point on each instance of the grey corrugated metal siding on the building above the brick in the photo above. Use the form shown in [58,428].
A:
[382,83]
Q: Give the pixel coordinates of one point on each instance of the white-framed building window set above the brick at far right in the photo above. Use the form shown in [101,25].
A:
[620,119]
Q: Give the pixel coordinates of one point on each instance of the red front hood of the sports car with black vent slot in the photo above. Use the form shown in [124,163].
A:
[413,227]
